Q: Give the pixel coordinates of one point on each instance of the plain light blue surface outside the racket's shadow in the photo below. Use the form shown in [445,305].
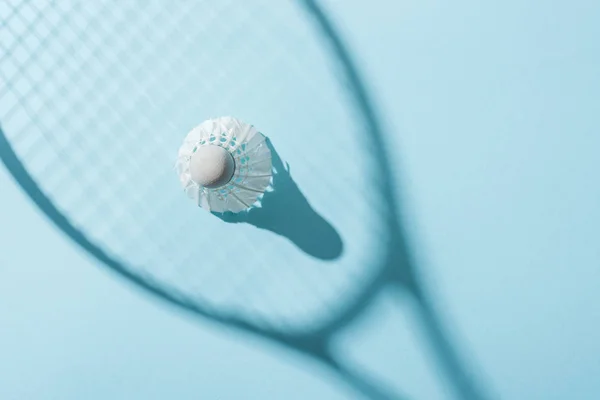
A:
[493,112]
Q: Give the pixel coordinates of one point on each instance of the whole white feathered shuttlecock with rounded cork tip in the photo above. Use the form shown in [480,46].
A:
[224,165]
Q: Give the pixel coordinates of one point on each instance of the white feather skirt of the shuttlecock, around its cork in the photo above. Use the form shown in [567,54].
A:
[252,173]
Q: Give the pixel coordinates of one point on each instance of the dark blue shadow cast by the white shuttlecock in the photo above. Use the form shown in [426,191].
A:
[286,212]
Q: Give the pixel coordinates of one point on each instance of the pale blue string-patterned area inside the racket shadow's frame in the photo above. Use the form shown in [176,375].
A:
[97,96]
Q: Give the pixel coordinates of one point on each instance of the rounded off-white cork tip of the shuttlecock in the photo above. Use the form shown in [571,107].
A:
[211,166]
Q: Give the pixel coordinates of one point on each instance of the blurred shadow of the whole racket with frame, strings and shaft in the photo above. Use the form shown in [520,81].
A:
[141,98]
